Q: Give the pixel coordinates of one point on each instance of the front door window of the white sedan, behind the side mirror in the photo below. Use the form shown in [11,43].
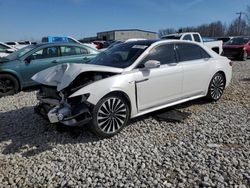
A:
[164,53]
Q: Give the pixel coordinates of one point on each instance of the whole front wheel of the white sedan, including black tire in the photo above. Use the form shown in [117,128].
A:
[110,115]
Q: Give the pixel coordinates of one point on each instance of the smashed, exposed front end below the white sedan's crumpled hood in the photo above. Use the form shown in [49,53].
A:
[57,108]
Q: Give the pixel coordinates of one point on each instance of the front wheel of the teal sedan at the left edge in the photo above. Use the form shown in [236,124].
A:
[8,85]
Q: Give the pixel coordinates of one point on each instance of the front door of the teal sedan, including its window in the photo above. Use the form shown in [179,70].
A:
[39,60]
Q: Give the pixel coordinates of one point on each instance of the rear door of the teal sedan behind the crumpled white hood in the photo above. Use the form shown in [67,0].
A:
[75,54]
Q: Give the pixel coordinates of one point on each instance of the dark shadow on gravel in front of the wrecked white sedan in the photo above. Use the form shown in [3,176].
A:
[22,131]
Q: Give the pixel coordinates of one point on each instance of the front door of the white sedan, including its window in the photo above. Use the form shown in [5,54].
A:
[158,86]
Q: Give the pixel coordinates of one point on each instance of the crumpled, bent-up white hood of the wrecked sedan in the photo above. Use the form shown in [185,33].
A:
[62,75]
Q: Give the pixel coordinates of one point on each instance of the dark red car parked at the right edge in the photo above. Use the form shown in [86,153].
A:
[237,47]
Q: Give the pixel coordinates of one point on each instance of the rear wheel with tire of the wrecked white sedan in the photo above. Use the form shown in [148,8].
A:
[216,87]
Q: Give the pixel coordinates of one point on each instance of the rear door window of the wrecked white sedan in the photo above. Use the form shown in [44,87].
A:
[187,52]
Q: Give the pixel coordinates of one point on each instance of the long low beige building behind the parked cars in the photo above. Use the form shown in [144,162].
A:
[122,35]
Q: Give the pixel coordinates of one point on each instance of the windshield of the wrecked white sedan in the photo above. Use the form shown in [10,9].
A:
[120,56]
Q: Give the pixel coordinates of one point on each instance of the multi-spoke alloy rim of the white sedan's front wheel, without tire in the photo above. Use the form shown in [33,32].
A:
[112,115]
